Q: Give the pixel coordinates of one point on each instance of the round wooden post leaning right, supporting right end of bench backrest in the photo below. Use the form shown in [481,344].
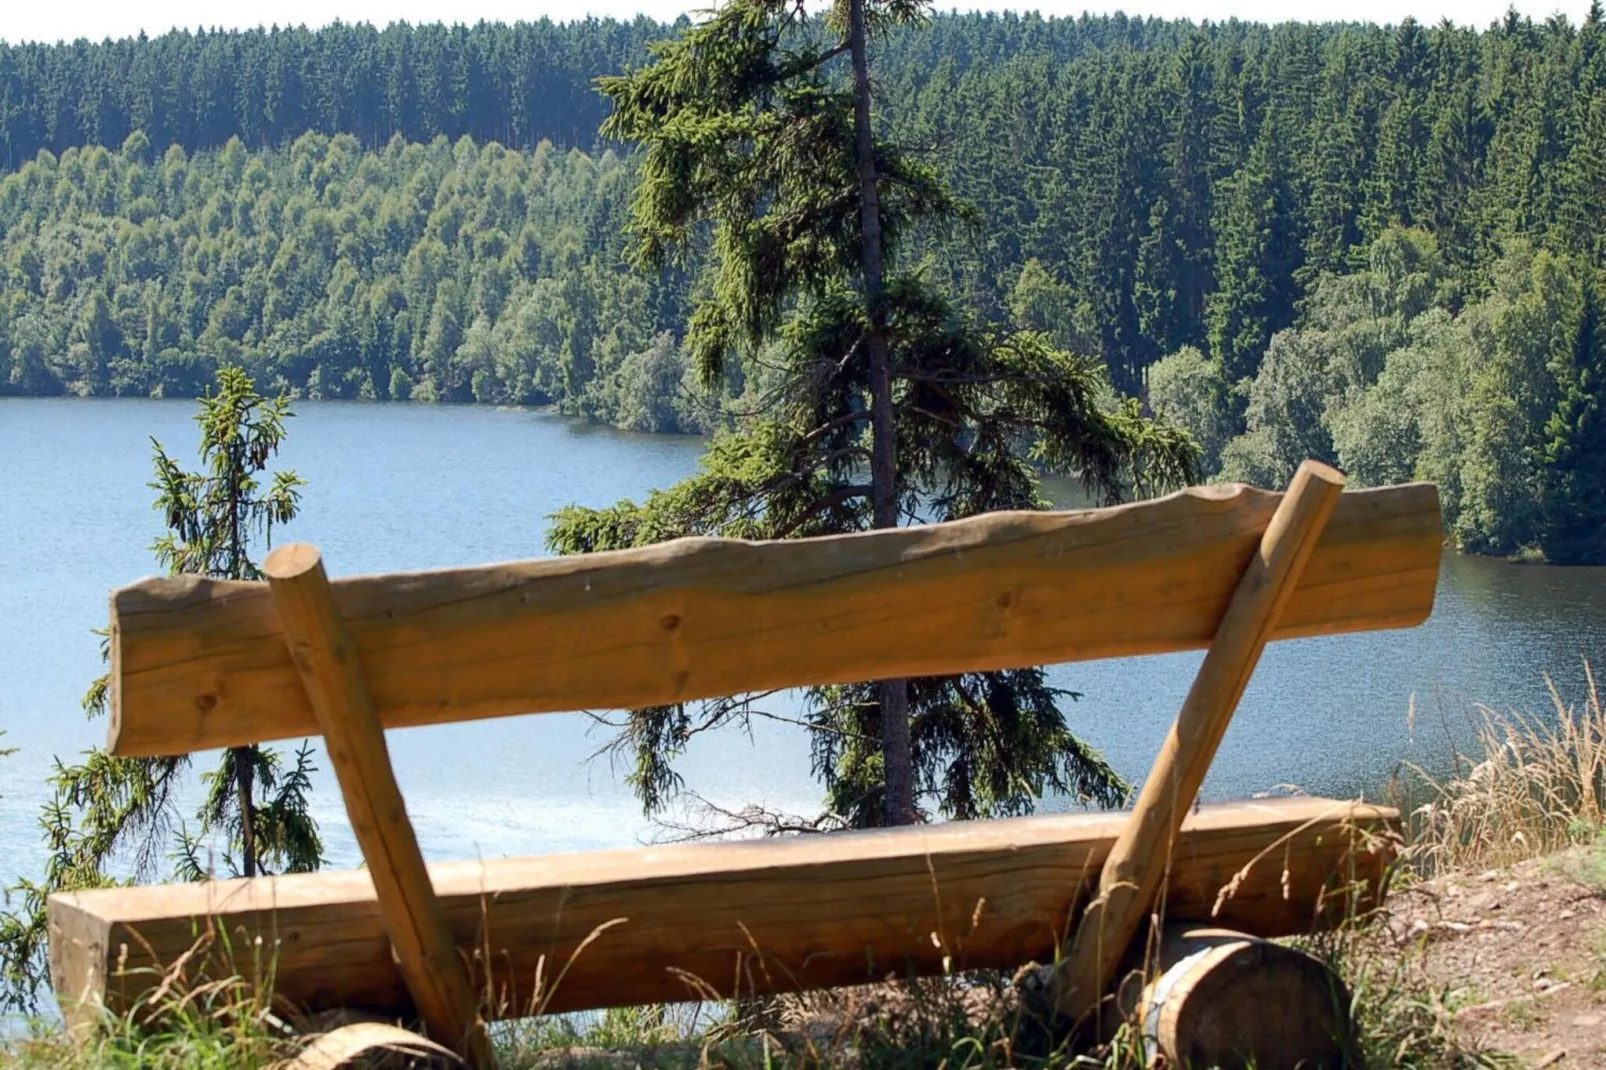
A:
[1136,867]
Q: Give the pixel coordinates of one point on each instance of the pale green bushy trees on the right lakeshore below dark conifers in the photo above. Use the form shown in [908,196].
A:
[1393,378]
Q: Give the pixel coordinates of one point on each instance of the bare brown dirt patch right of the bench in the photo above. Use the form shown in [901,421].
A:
[1518,955]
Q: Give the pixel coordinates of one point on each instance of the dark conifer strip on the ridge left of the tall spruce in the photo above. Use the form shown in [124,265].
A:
[513,84]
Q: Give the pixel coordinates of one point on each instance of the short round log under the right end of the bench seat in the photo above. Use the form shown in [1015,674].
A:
[1221,999]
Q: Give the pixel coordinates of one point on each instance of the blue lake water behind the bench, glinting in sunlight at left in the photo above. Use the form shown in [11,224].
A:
[417,488]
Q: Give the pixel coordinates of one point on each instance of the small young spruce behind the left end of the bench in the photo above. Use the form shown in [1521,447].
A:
[115,820]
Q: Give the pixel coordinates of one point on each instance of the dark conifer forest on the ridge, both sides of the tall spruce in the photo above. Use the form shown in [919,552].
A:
[1183,184]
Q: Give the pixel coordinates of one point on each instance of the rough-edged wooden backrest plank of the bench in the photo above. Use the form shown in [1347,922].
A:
[200,664]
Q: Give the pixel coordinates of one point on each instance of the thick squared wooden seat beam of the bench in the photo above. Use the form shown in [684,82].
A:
[720,920]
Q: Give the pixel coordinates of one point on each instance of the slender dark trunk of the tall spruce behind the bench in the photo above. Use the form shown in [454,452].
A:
[897,754]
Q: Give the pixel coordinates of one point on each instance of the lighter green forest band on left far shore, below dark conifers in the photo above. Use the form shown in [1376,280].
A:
[450,272]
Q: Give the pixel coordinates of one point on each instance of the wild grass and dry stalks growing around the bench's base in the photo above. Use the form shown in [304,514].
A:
[1531,788]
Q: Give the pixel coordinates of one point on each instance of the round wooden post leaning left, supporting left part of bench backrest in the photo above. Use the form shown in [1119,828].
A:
[332,672]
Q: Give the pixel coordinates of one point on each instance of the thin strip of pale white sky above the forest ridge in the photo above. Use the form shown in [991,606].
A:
[67,20]
